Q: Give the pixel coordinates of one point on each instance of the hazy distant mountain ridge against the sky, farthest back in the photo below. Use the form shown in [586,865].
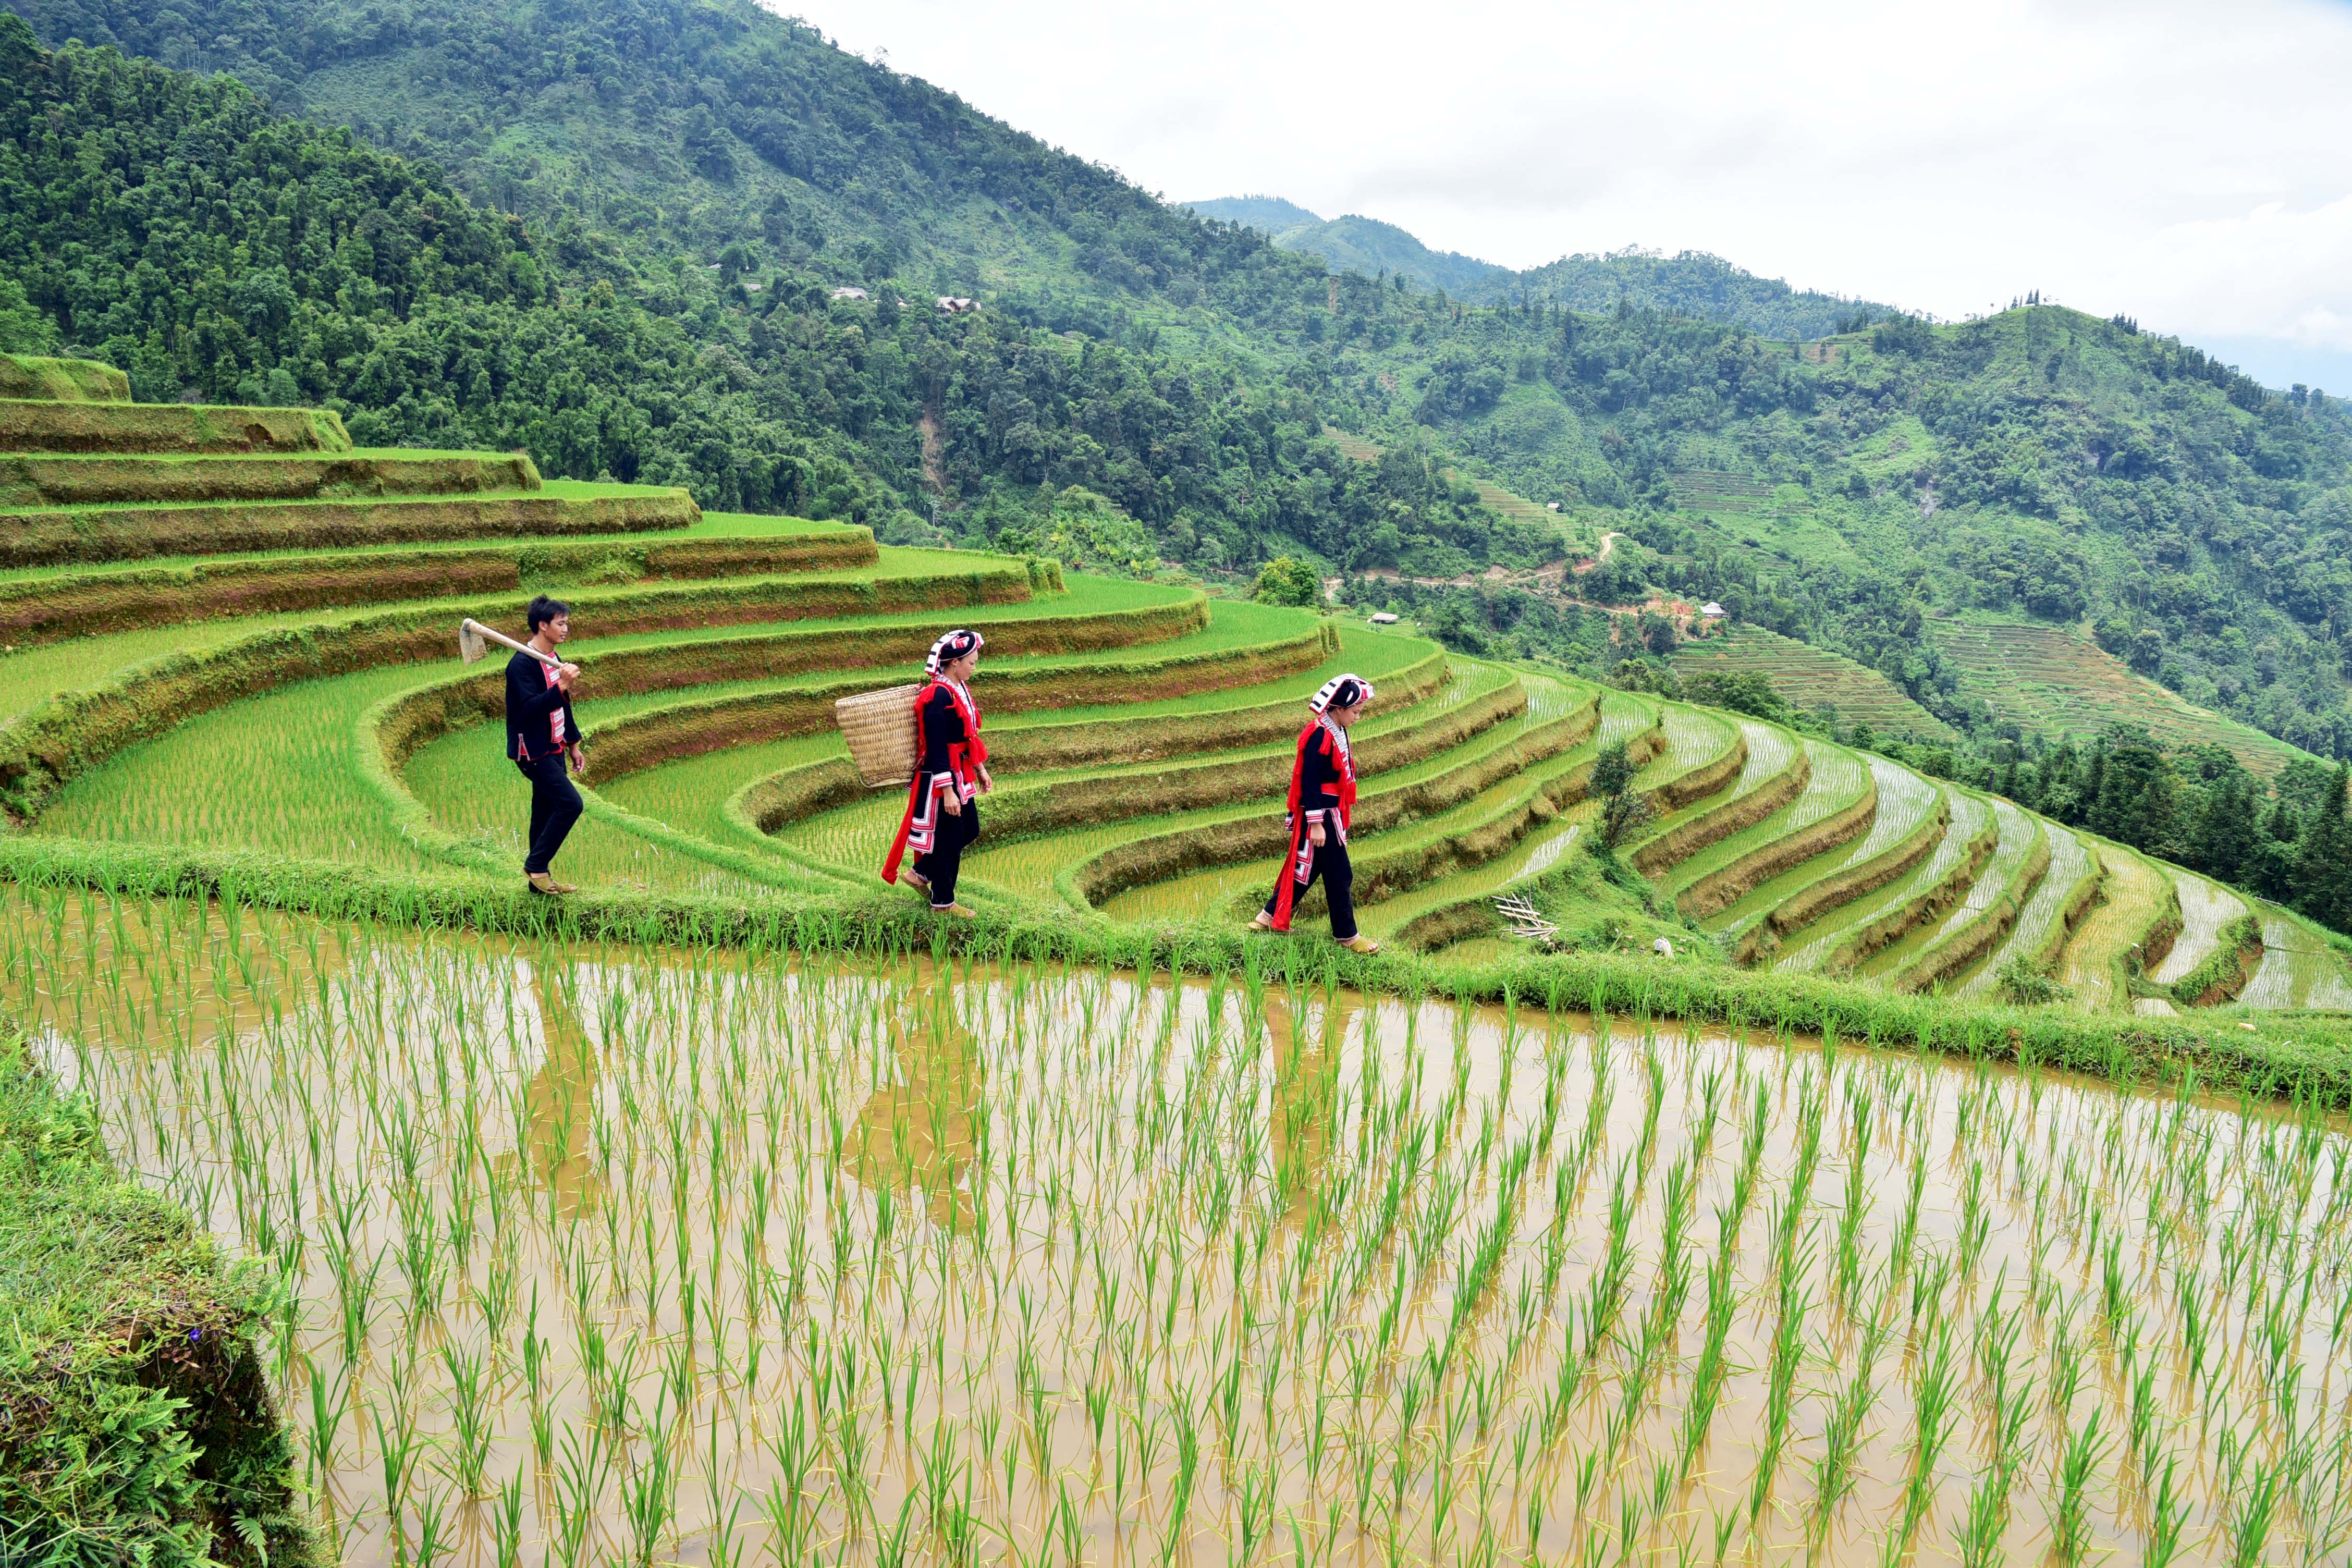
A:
[1688,283]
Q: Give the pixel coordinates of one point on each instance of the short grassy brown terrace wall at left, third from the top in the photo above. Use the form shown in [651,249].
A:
[107,481]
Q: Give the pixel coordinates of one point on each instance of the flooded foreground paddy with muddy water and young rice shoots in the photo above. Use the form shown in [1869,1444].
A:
[723,1259]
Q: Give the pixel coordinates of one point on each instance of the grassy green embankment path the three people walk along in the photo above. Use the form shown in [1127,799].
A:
[2261,1054]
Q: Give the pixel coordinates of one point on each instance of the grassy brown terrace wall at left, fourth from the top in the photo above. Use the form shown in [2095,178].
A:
[53,537]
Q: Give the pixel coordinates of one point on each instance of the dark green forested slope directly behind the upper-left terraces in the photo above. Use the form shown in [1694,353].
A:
[173,227]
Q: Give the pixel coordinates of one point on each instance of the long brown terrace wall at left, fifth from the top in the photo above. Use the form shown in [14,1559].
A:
[95,603]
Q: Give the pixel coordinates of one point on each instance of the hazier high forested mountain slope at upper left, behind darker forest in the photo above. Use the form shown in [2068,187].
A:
[690,128]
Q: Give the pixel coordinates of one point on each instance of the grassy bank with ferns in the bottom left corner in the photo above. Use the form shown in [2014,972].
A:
[135,1419]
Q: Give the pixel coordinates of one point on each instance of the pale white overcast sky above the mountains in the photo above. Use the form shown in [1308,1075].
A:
[2184,163]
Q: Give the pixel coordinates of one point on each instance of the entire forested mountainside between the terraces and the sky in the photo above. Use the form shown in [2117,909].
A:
[620,246]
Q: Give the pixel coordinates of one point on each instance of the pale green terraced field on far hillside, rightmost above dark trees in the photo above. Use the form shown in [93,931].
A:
[2062,685]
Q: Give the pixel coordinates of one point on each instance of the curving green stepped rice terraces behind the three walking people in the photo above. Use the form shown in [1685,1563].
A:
[714,650]
